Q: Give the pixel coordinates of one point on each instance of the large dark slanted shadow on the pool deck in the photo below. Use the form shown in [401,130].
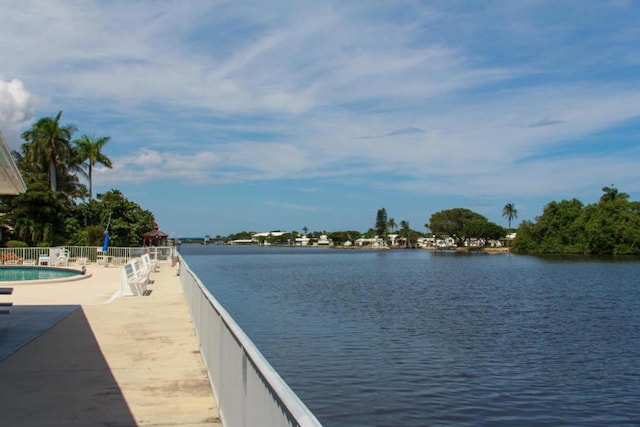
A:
[60,378]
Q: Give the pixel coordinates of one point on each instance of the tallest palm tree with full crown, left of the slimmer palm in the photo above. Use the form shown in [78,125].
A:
[49,142]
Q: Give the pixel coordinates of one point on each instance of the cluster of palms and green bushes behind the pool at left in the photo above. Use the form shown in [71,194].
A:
[57,207]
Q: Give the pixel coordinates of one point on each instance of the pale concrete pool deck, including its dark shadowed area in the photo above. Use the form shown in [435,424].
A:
[76,354]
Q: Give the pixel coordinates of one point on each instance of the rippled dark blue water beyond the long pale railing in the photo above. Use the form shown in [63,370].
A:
[413,338]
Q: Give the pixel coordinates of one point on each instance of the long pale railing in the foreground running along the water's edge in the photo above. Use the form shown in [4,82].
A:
[248,390]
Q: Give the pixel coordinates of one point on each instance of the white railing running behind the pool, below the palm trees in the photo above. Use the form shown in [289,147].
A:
[81,255]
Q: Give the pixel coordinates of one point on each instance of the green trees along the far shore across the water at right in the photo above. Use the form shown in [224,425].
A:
[611,226]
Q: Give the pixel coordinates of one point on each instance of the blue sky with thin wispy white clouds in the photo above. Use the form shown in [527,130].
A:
[253,115]
